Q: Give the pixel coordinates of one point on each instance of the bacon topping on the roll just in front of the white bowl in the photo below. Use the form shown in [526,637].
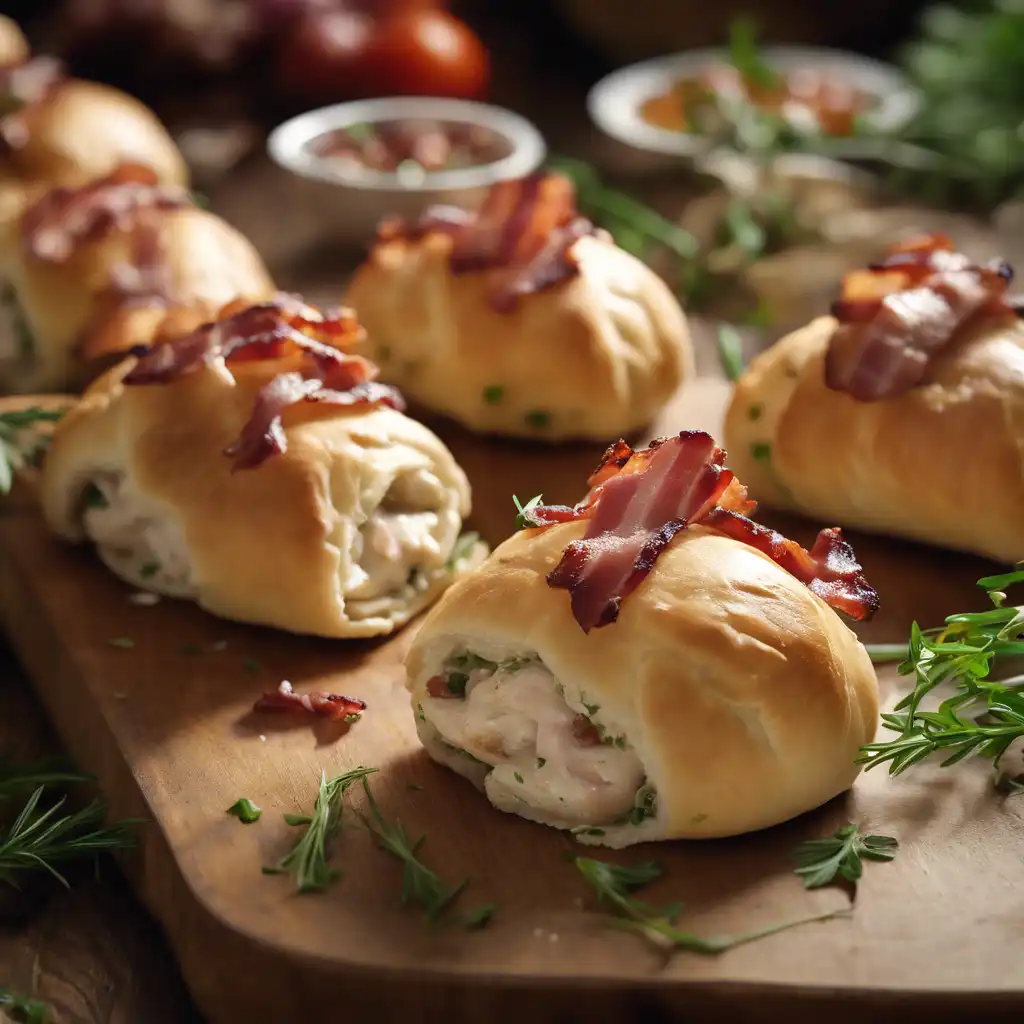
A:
[524,233]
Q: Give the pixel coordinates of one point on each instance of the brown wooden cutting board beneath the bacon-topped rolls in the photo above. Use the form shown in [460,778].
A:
[167,729]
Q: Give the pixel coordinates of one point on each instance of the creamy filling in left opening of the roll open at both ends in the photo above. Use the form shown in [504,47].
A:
[135,539]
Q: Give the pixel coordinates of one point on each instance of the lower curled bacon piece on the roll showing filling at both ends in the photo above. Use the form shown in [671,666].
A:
[264,435]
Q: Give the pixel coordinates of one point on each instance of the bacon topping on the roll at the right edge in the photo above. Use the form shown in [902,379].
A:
[897,317]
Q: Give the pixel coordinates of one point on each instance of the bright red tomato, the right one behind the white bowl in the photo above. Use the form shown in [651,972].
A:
[428,53]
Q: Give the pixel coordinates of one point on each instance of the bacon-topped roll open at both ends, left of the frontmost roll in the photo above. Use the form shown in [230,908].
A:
[255,467]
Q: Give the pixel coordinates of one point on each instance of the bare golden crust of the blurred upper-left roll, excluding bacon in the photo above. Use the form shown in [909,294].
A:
[84,131]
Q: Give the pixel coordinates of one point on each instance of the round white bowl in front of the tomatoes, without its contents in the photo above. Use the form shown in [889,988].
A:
[344,205]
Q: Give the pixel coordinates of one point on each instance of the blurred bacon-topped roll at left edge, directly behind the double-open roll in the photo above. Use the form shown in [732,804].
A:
[88,274]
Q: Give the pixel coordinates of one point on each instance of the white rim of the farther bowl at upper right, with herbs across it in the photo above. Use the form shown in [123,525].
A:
[615,103]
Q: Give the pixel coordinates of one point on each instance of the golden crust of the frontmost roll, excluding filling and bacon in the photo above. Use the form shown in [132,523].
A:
[745,696]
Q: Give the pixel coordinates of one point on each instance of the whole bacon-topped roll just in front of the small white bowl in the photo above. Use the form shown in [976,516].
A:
[523,320]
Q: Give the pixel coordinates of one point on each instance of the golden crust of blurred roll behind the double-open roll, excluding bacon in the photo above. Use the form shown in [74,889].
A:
[77,322]
